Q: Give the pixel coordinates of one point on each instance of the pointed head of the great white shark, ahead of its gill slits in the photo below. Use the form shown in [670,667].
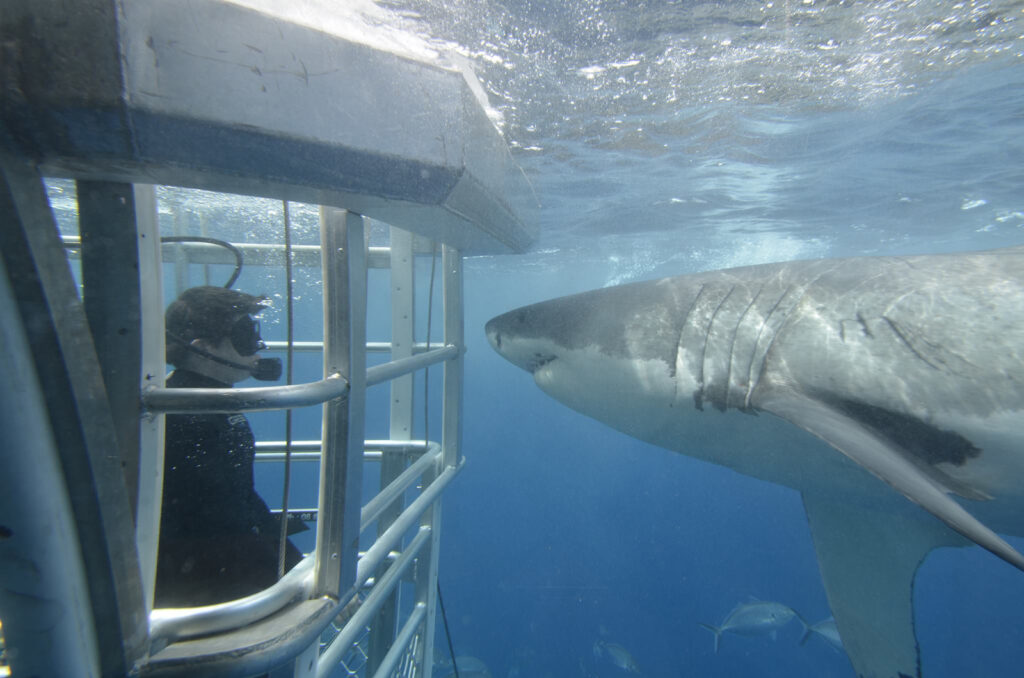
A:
[610,354]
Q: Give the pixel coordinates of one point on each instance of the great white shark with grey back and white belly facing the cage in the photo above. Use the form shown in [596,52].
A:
[911,369]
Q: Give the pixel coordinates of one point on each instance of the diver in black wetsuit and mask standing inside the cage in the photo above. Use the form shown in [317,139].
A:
[219,540]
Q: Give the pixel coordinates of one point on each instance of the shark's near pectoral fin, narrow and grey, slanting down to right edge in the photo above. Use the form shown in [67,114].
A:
[888,463]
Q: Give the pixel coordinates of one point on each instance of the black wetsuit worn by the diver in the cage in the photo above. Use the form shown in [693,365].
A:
[219,540]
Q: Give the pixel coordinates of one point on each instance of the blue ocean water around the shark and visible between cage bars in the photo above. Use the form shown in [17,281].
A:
[666,138]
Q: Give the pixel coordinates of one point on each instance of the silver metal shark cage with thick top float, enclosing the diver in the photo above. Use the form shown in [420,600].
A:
[108,108]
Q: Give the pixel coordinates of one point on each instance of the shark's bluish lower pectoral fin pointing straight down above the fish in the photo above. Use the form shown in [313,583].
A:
[868,561]
